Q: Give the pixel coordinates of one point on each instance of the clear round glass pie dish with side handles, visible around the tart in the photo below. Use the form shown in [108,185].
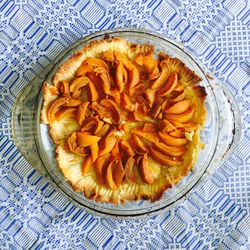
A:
[220,134]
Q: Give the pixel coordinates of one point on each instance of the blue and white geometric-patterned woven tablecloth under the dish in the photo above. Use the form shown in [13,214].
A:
[33,215]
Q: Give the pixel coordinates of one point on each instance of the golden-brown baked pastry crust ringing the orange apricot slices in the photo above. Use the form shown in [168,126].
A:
[71,164]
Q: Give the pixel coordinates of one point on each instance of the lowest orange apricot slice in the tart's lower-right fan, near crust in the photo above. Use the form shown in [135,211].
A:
[164,159]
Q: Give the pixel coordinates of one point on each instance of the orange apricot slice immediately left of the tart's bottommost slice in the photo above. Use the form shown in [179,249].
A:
[100,167]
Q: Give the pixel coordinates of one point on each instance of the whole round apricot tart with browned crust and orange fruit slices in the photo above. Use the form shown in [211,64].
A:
[125,121]
